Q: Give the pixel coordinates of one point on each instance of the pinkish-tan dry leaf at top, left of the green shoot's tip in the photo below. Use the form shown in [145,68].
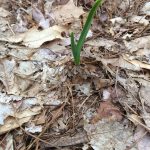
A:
[68,13]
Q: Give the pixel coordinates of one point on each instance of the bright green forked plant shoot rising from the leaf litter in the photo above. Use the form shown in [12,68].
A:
[77,46]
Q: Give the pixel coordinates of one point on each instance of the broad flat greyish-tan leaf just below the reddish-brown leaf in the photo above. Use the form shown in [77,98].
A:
[110,135]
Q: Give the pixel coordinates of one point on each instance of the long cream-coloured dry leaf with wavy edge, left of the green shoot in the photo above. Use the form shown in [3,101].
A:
[35,38]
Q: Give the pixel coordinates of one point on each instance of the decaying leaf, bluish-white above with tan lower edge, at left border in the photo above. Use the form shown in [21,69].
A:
[14,111]
